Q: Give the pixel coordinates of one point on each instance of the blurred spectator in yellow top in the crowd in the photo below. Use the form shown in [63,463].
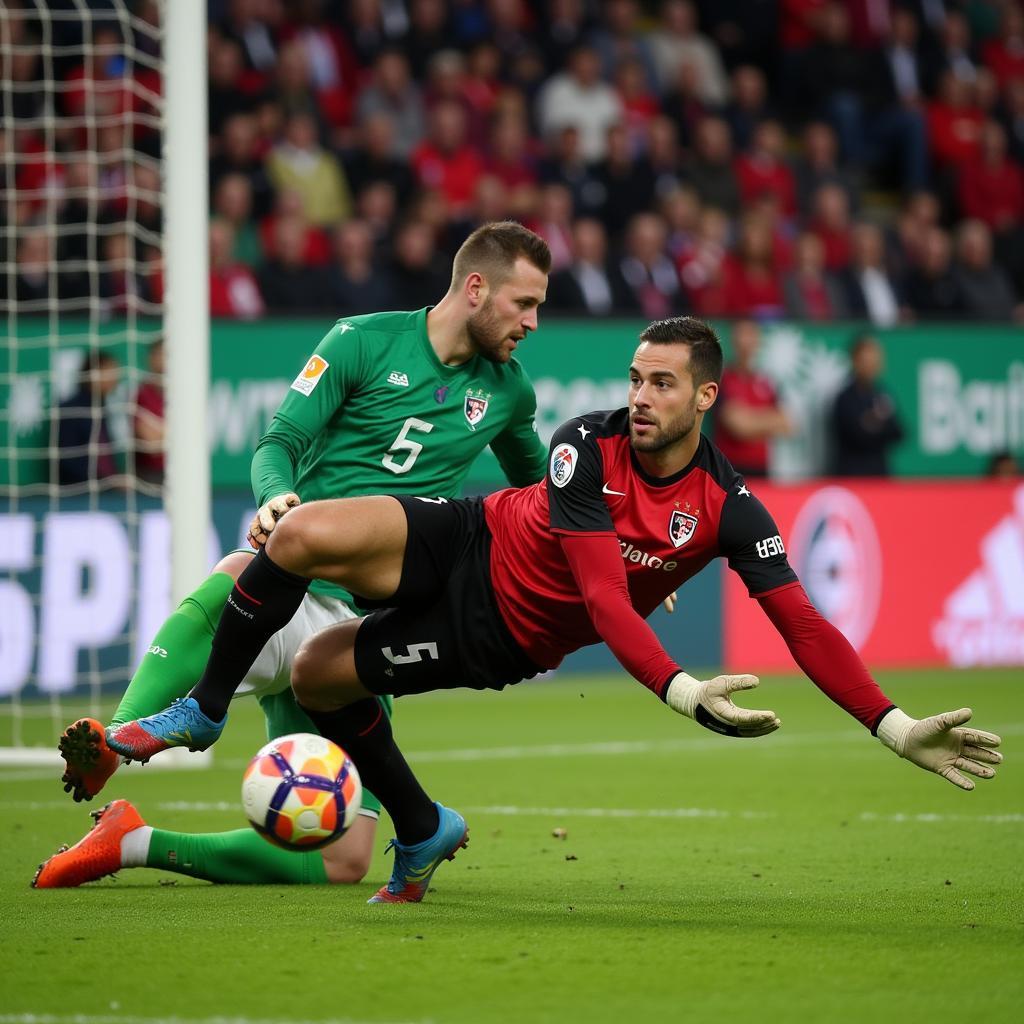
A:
[301,164]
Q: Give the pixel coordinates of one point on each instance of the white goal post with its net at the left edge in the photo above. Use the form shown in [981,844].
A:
[81,253]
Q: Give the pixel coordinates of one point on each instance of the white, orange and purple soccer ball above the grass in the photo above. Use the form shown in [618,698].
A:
[302,792]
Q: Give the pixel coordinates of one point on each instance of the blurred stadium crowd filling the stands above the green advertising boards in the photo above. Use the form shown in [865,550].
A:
[816,160]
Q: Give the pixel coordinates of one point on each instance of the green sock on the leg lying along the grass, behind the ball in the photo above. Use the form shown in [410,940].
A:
[240,858]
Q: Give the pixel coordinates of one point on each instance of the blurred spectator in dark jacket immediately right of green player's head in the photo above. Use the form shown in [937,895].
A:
[590,285]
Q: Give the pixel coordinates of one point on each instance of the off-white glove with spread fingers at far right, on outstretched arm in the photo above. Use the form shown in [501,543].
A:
[938,744]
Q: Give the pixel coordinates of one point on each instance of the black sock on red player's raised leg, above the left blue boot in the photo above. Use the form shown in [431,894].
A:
[264,602]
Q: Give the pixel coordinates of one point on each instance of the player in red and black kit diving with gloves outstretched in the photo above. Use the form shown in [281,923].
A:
[488,592]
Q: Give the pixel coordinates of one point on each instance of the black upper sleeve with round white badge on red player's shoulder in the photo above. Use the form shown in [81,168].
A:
[575,481]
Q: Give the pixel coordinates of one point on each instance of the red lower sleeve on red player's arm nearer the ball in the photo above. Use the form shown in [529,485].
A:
[598,568]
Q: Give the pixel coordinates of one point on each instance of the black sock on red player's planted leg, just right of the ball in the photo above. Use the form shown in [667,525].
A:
[364,732]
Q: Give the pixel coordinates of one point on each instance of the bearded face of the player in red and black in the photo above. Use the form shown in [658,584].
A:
[664,404]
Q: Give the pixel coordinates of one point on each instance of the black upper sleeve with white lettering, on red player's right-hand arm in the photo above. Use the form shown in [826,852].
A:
[749,538]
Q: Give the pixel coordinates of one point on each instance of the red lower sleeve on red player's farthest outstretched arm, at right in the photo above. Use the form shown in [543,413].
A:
[825,655]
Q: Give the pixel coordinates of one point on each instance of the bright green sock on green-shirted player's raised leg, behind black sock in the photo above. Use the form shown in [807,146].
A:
[179,654]
